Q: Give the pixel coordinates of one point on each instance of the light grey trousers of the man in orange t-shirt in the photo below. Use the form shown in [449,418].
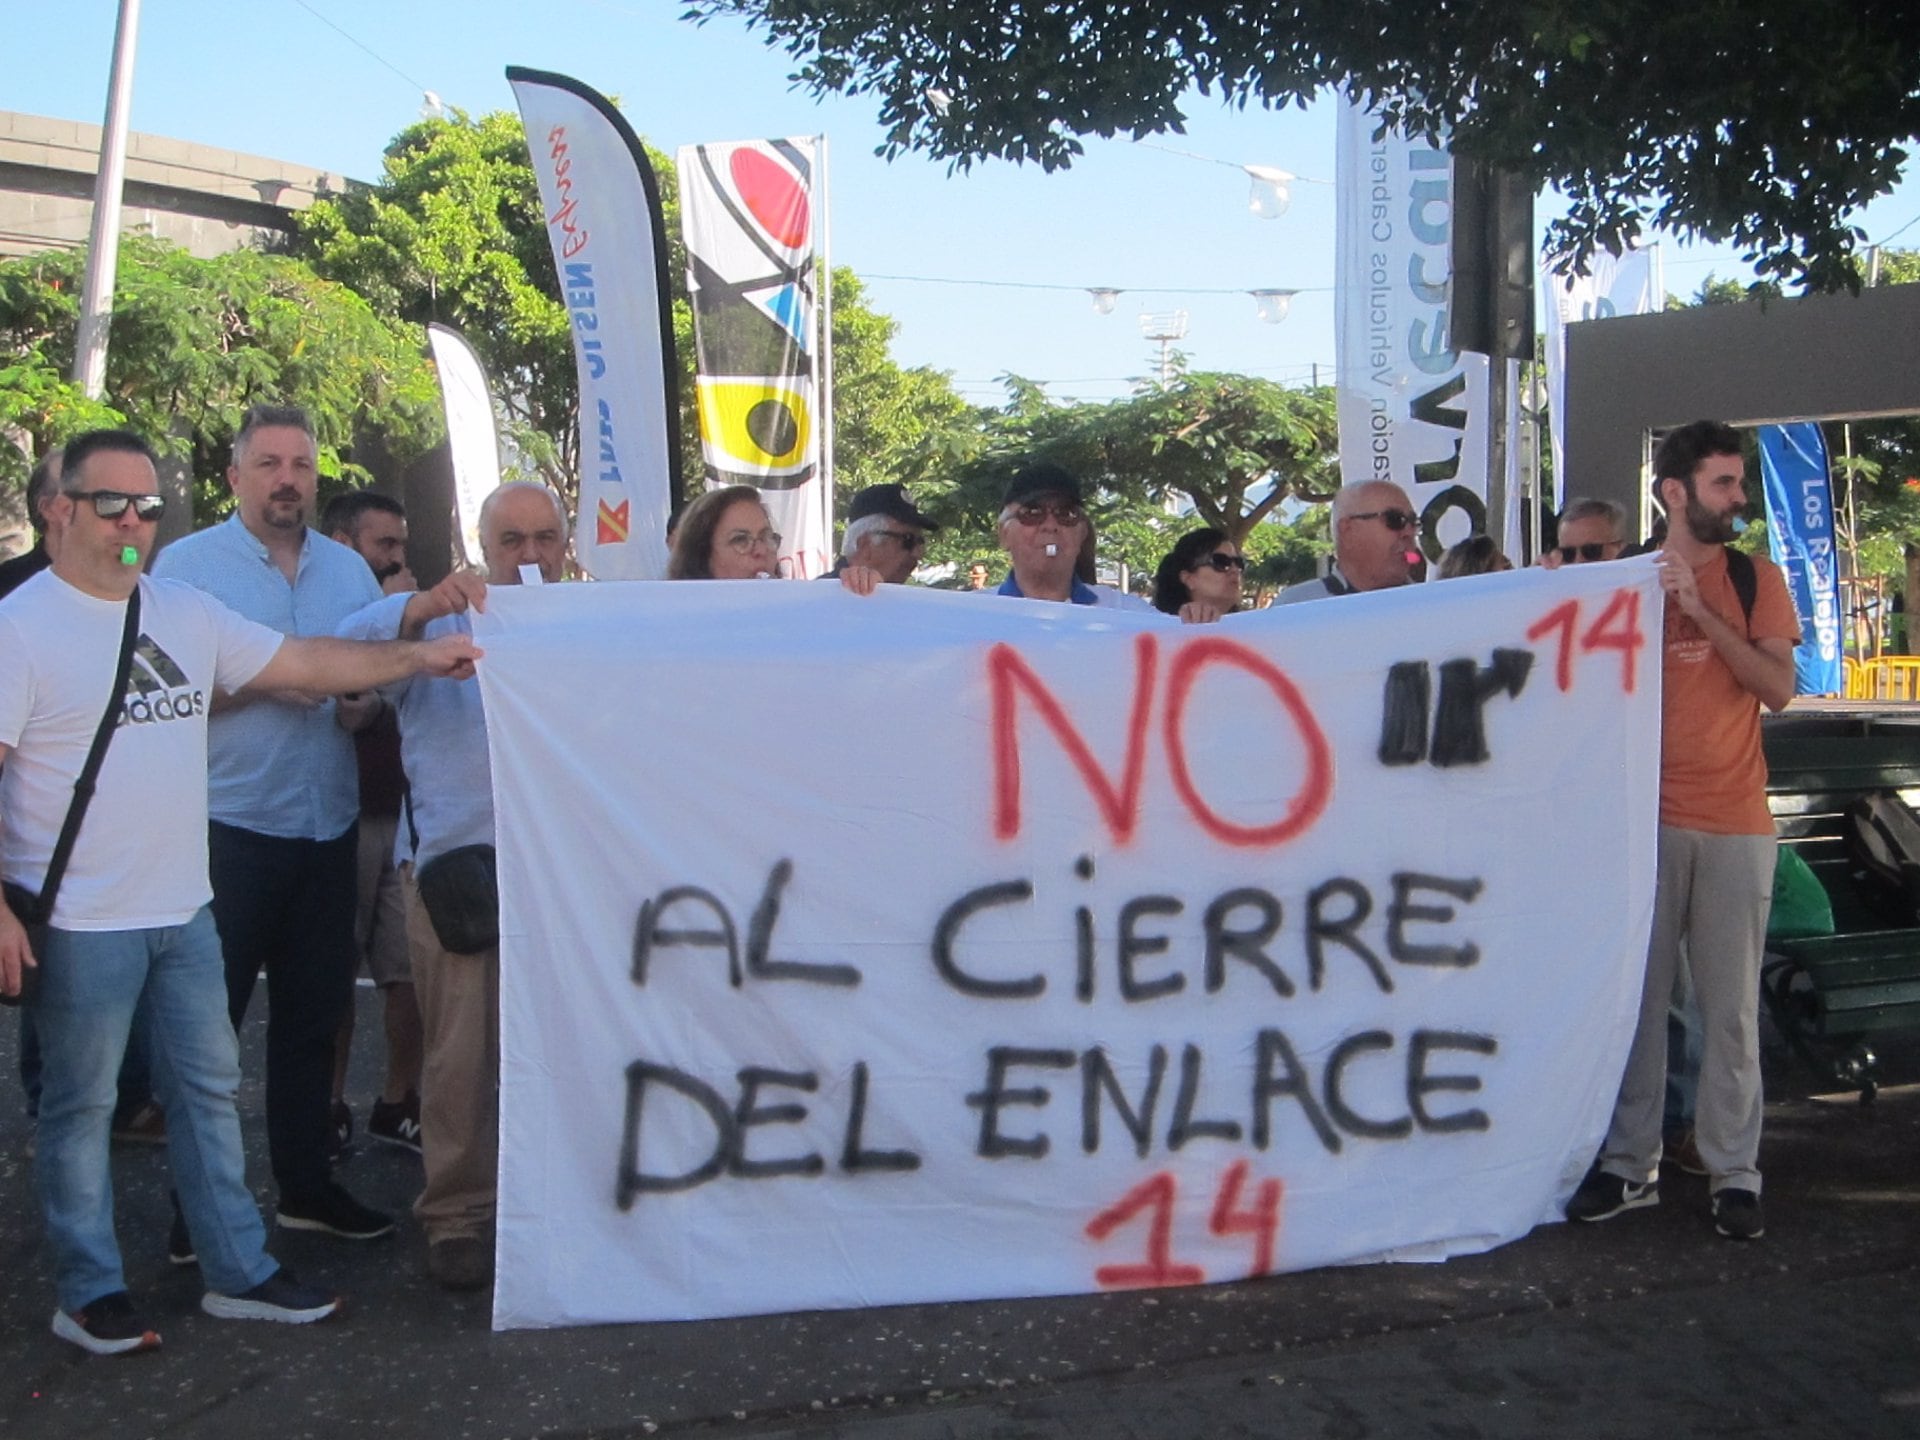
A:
[1712,892]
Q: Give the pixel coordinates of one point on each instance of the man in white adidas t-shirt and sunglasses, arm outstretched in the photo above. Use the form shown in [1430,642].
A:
[132,915]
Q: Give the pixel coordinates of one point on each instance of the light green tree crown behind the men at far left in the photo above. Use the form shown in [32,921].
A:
[199,341]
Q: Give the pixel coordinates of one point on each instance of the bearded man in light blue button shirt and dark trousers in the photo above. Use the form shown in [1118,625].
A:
[283,804]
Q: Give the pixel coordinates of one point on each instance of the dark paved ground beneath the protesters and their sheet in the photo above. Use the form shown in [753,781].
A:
[1646,1326]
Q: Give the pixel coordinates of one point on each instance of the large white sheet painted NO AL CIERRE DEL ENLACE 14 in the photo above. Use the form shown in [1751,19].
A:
[934,948]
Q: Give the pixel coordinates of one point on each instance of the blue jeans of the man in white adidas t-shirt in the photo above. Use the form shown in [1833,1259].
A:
[91,984]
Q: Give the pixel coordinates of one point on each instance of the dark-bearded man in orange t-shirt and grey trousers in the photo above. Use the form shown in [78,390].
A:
[1716,880]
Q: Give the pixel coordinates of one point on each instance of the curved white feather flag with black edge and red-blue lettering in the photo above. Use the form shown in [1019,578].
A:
[604,224]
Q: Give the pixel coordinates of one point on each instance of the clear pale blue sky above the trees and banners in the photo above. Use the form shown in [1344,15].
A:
[329,82]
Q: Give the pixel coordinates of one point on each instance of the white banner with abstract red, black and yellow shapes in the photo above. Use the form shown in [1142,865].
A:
[748,212]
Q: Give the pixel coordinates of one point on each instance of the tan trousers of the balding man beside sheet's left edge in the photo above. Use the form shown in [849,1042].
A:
[460,1080]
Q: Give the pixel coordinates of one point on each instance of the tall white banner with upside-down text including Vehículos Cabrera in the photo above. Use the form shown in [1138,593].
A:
[1412,410]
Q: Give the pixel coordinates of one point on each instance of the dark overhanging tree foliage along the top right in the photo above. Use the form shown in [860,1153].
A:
[1760,124]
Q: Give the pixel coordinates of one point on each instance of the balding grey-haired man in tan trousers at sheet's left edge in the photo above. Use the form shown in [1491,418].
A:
[443,744]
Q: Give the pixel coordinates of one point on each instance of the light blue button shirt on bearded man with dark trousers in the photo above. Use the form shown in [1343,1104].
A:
[277,769]
